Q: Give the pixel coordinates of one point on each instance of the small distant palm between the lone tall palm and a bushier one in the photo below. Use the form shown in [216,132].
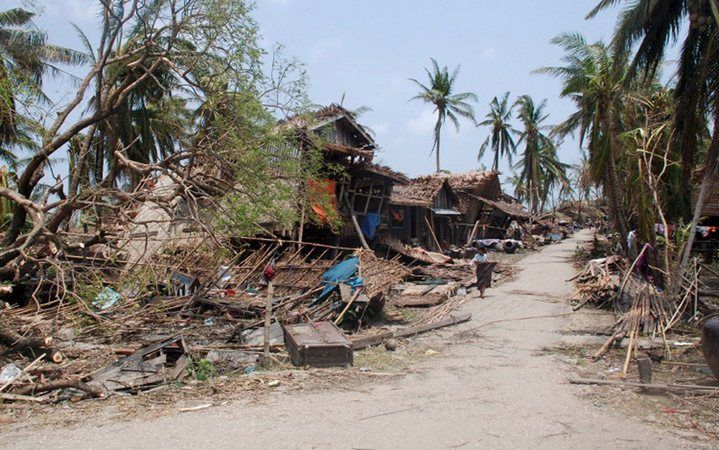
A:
[500,138]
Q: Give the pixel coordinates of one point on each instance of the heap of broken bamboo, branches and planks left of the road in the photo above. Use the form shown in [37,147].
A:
[215,297]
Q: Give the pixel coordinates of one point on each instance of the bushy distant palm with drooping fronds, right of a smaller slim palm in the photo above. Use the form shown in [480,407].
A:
[540,170]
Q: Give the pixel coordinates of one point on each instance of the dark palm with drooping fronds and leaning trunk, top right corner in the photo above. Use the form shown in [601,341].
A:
[653,25]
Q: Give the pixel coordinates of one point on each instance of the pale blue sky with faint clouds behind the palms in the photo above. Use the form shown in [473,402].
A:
[367,51]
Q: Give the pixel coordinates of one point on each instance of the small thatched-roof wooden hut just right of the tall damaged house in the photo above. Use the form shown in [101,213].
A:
[425,212]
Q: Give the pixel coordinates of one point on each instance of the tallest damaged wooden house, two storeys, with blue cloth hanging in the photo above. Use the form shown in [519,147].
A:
[361,193]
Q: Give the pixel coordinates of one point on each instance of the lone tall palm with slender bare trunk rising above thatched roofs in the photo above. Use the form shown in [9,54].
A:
[439,91]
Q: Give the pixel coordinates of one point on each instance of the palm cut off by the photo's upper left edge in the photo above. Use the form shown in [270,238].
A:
[25,56]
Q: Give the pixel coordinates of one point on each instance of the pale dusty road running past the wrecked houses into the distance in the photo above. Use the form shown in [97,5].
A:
[499,391]
